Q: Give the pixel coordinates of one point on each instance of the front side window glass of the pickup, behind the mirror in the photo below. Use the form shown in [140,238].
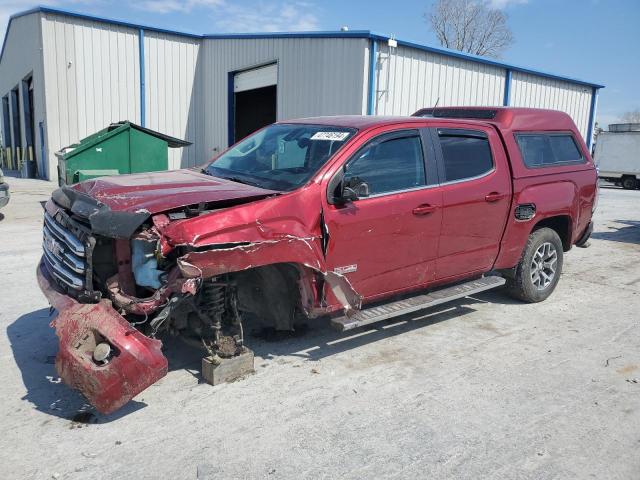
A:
[389,163]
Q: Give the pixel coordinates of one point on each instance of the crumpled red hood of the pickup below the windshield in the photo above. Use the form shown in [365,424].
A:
[162,191]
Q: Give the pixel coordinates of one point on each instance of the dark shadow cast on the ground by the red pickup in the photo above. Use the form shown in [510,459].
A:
[35,345]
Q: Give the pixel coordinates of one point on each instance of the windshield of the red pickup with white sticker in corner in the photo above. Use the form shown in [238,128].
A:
[280,157]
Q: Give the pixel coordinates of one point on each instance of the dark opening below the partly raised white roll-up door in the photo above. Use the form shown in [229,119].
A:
[254,109]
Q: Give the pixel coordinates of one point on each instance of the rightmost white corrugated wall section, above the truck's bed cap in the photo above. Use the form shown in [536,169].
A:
[540,92]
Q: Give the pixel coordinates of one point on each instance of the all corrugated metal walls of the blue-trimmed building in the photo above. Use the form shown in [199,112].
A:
[88,76]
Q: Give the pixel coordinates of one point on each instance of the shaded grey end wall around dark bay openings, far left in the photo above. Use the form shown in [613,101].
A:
[22,57]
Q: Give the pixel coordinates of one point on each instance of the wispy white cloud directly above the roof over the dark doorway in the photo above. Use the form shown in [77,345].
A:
[269,16]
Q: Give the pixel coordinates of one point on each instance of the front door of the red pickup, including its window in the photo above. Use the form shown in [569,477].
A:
[387,241]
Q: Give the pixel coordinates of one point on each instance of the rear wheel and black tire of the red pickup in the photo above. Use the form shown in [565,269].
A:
[537,274]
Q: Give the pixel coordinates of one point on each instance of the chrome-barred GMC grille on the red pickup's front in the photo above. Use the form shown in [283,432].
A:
[64,254]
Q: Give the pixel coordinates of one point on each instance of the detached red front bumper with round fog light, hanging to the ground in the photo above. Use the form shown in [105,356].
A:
[137,363]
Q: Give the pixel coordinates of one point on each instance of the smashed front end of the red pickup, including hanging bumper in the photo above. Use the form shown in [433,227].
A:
[117,276]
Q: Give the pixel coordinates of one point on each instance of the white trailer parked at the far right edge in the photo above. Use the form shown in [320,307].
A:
[617,155]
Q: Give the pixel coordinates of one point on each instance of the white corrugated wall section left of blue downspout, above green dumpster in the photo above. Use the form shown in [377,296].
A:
[92,77]
